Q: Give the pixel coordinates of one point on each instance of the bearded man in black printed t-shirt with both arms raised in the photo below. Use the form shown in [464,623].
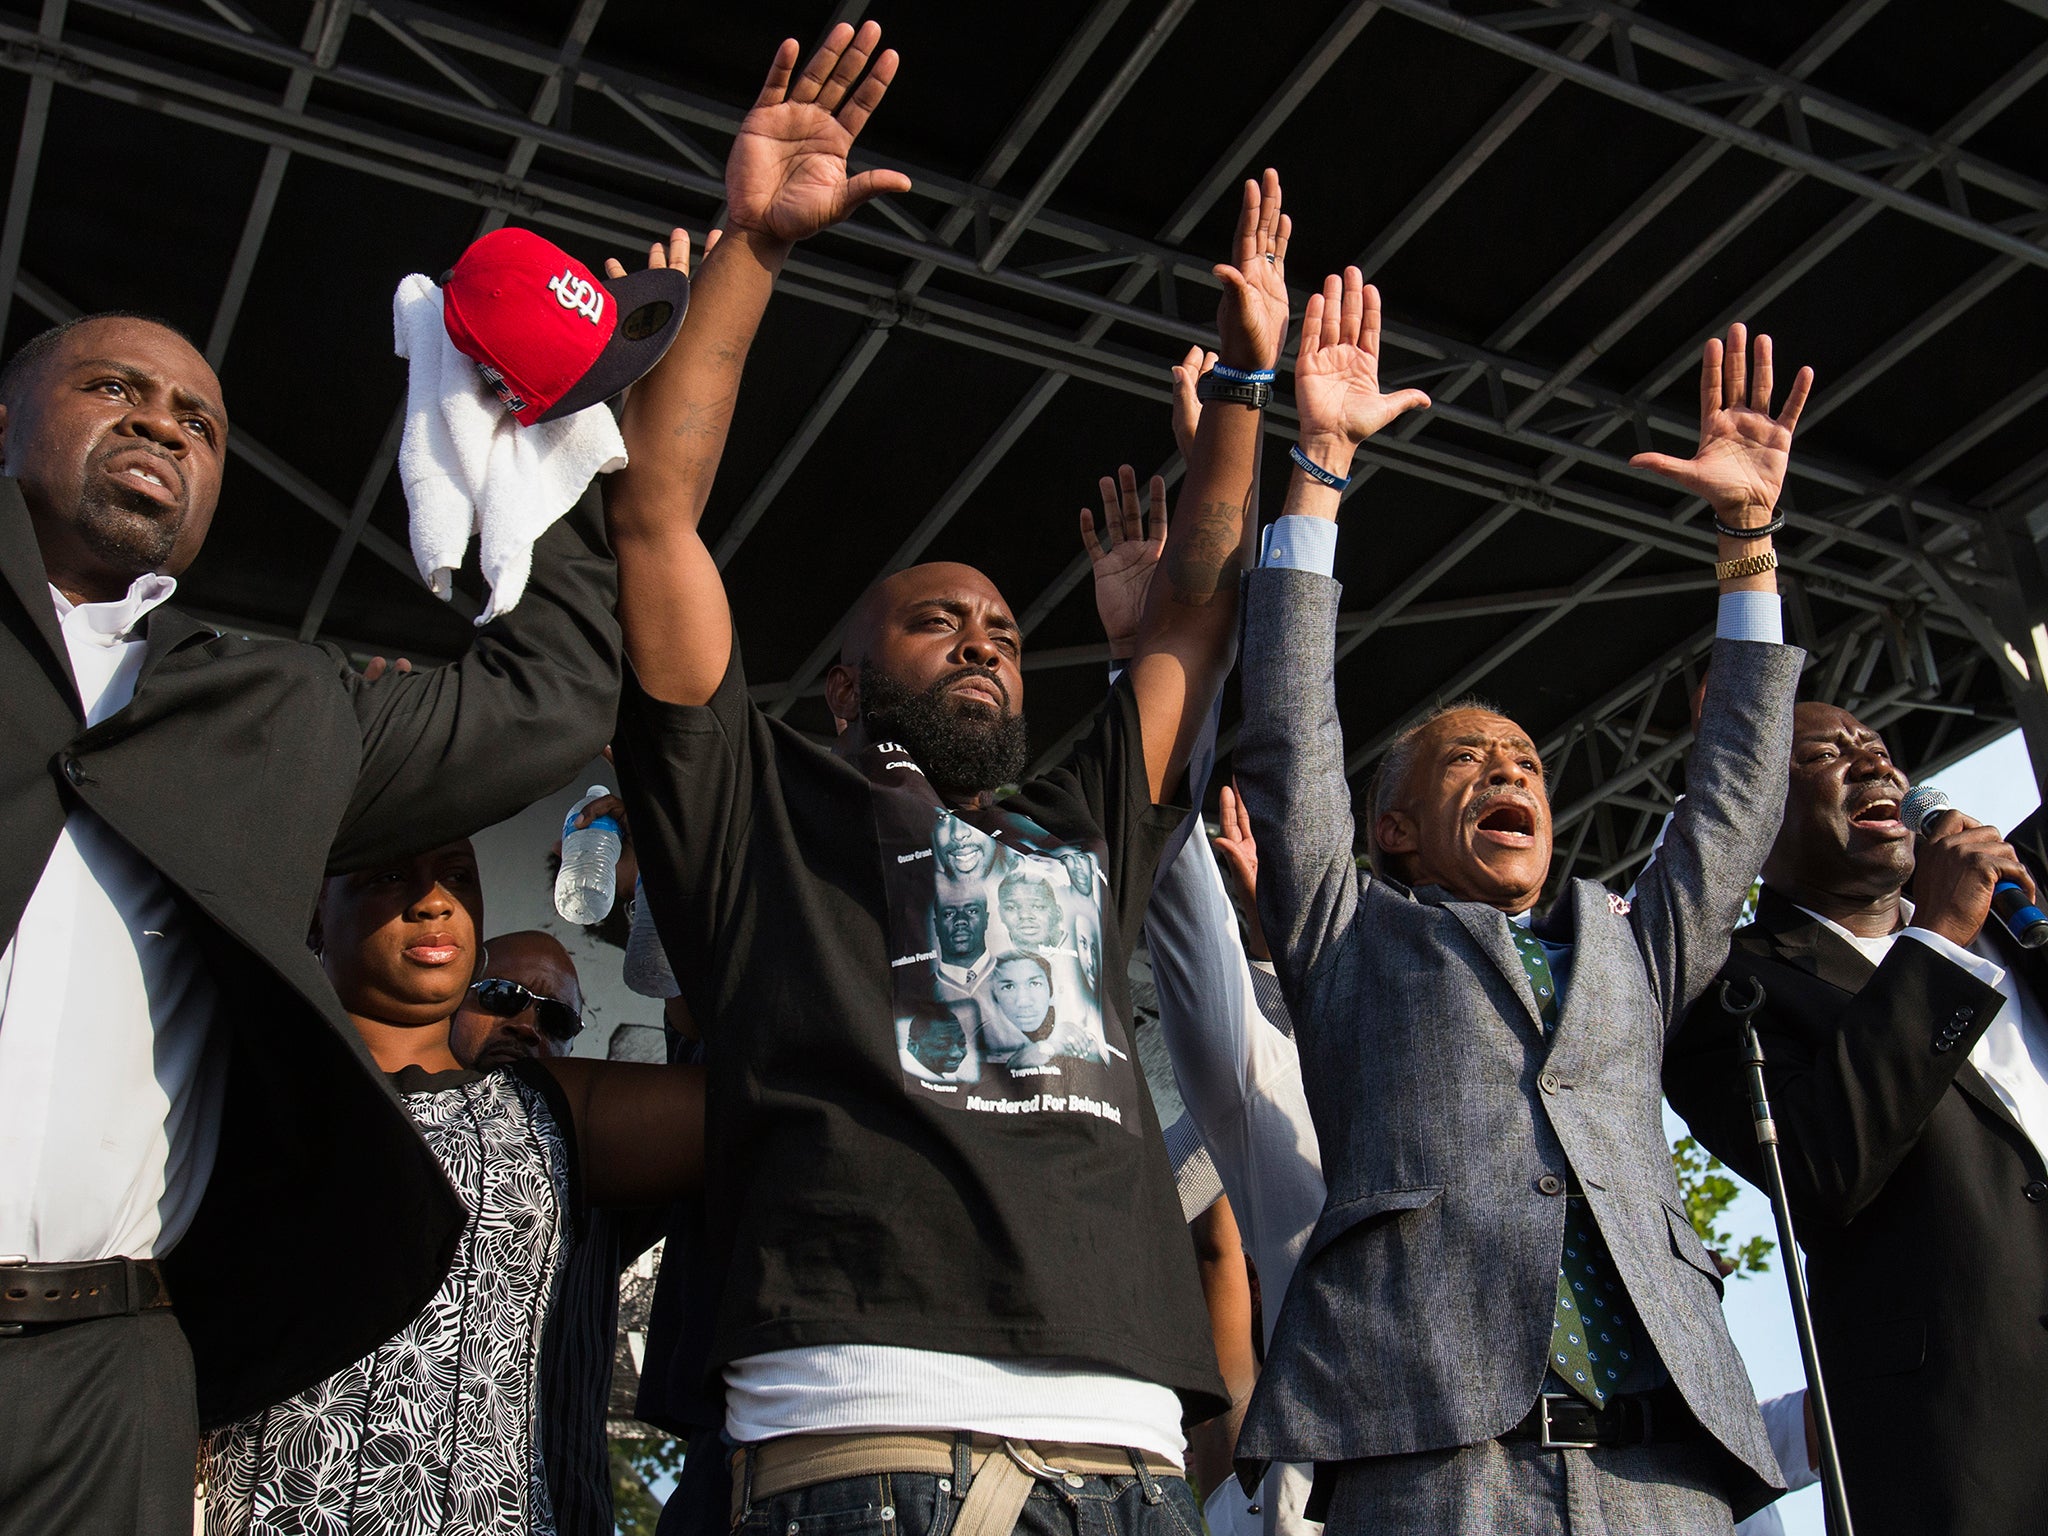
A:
[955,1271]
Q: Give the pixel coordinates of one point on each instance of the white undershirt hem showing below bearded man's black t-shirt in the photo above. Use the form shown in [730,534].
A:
[871,1388]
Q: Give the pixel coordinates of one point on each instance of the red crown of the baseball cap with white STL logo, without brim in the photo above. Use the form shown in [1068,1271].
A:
[529,314]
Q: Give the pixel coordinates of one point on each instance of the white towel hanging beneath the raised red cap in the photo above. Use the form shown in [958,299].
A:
[468,466]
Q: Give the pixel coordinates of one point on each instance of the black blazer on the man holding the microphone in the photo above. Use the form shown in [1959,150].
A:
[1920,1203]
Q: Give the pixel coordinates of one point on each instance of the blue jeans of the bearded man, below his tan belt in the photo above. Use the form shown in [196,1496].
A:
[914,1504]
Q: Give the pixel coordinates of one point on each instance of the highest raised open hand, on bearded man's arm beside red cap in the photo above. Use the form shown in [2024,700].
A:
[787,173]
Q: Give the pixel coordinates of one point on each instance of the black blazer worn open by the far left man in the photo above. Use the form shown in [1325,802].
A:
[245,771]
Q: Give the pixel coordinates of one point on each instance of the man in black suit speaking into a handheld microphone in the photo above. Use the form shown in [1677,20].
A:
[1906,1060]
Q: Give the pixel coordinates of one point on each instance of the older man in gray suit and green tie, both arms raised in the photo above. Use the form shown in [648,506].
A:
[1504,1320]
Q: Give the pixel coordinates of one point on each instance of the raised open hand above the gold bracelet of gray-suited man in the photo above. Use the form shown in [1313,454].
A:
[1744,450]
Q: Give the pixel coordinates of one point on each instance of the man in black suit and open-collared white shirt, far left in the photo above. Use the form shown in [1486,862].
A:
[208,1195]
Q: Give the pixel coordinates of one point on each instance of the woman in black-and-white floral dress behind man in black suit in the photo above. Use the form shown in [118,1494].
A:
[437,1431]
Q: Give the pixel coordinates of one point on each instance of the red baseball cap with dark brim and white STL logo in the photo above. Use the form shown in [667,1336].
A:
[548,333]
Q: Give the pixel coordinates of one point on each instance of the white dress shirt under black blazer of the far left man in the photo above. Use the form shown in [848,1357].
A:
[110,1070]
